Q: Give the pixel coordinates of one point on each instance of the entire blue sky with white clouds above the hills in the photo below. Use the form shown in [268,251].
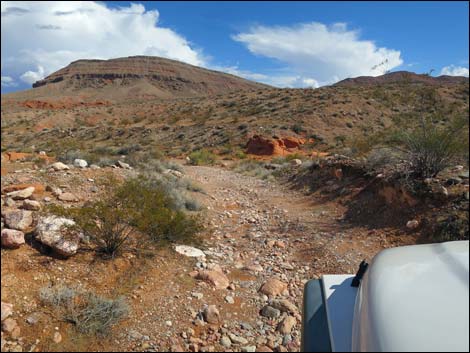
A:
[287,44]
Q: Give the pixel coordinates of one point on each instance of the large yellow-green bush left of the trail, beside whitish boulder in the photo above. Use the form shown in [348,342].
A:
[139,206]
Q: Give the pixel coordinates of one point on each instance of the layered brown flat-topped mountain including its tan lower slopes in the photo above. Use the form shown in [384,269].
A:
[136,77]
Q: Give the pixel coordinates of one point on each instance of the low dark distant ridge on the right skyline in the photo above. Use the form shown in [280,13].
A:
[401,77]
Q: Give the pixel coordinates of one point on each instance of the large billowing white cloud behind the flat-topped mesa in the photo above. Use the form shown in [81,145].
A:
[41,37]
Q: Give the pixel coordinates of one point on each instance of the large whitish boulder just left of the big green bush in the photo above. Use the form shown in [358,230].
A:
[56,232]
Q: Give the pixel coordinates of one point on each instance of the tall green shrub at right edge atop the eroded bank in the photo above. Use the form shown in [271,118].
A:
[429,148]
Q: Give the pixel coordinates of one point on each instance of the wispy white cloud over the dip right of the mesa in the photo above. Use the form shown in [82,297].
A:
[318,54]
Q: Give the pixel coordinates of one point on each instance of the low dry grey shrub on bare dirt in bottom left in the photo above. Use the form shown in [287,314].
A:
[90,313]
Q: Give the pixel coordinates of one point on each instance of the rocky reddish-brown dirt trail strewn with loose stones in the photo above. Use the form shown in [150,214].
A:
[264,241]
